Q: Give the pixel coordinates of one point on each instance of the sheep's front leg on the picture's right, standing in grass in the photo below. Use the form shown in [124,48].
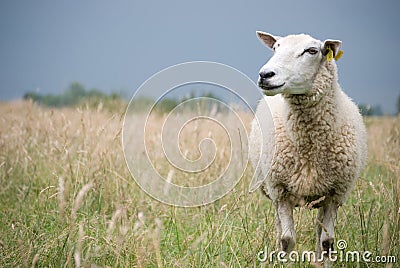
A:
[328,225]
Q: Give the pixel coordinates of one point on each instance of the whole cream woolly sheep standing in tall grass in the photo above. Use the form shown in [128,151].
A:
[316,133]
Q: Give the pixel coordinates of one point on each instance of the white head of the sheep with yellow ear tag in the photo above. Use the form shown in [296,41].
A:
[295,63]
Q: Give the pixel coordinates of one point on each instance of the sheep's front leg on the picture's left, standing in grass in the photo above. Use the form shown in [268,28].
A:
[288,234]
